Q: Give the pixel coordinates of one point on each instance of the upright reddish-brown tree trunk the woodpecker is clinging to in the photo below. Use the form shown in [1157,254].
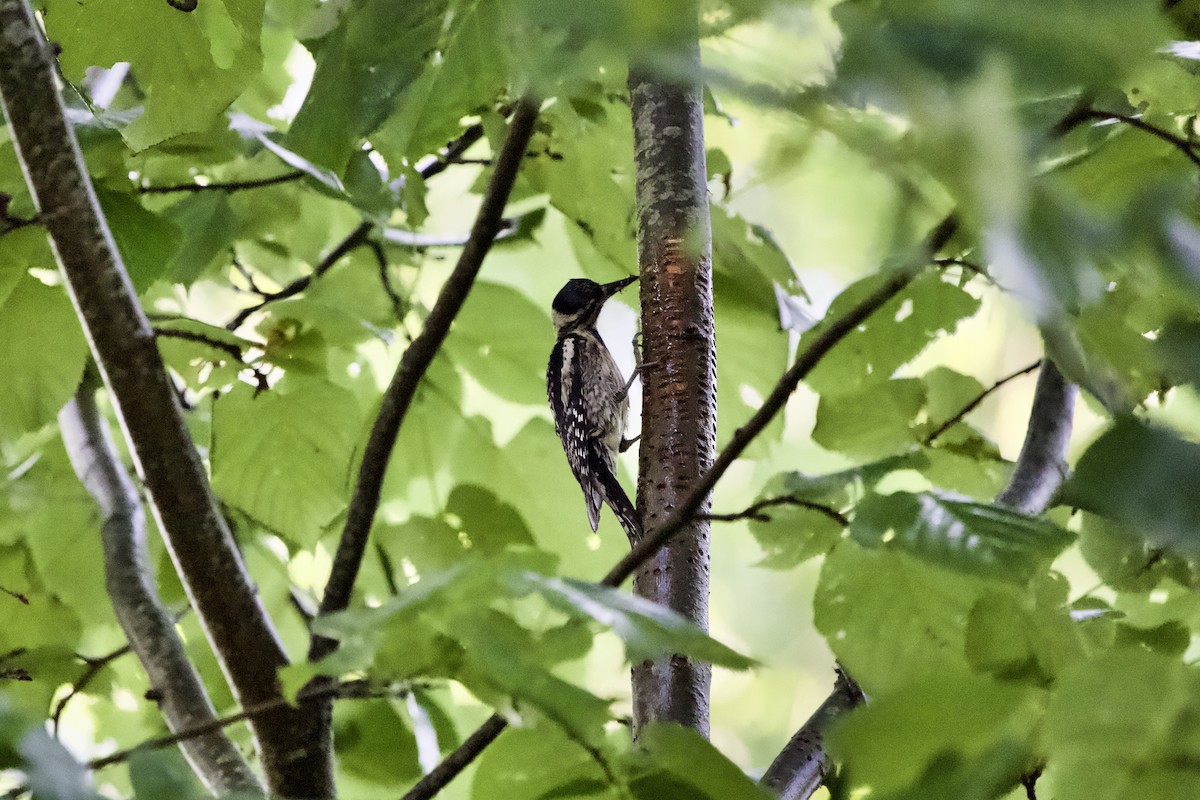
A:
[680,383]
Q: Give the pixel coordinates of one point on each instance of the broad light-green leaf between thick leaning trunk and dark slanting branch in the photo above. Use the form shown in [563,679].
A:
[274,461]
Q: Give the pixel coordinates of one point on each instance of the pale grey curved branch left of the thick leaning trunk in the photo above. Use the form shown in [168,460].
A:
[149,627]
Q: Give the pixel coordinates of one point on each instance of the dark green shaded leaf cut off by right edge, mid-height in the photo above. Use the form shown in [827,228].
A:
[1143,477]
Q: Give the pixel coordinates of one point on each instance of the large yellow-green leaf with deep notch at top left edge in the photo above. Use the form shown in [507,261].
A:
[191,69]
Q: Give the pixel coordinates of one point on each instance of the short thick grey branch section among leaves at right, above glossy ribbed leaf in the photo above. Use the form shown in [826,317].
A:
[1042,466]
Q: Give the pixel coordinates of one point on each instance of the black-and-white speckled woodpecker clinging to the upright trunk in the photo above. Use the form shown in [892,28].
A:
[590,400]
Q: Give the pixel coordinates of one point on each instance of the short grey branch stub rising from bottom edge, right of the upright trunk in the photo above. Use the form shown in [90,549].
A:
[802,765]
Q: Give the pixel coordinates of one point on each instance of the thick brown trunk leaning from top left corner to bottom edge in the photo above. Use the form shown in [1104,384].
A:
[295,743]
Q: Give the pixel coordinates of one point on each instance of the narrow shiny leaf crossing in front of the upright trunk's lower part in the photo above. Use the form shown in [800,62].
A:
[649,630]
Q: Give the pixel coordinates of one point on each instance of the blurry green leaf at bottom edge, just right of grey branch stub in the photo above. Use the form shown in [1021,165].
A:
[937,731]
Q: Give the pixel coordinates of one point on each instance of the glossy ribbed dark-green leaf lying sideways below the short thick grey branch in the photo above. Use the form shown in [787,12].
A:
[971,537]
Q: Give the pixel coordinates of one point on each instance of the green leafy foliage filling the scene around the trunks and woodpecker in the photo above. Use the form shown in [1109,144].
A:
[289,239]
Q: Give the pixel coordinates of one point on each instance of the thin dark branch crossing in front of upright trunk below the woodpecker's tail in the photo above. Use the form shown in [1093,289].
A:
[458,761]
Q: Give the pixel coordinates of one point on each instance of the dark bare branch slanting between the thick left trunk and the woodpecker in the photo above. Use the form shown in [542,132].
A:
[412,368]
